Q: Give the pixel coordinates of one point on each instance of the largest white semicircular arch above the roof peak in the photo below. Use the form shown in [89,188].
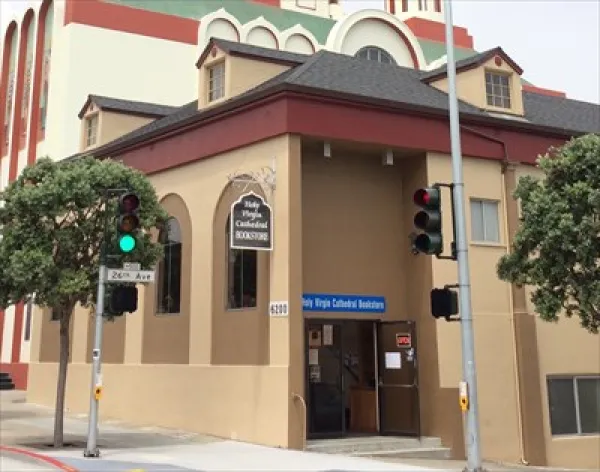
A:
[353,32]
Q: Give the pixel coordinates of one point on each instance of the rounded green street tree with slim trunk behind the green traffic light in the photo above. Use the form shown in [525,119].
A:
[52,221]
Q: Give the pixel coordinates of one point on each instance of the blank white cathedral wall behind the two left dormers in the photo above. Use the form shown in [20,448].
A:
[88,60]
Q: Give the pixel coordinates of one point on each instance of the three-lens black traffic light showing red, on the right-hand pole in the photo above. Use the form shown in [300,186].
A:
[429,221]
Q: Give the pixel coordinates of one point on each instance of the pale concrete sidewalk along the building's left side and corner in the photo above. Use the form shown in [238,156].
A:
[126,447]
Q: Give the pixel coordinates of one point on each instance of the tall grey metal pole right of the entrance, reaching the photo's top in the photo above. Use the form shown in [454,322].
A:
[469,402]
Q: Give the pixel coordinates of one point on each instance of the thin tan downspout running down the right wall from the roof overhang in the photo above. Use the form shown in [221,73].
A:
[504,165]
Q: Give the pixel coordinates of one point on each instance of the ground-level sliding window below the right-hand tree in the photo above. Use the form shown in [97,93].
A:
[574,403]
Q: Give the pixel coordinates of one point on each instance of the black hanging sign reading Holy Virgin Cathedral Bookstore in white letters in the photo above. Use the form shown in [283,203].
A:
[251,223]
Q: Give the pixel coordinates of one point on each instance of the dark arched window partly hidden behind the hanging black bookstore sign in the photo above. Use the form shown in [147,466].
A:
[242,276]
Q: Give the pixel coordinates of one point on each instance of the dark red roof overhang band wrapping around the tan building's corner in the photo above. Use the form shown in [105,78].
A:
[294,110]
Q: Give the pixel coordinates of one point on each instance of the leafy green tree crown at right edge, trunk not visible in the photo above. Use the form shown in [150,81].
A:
[556,250]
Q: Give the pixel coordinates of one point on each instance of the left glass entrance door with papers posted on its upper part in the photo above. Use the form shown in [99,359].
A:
[325,396]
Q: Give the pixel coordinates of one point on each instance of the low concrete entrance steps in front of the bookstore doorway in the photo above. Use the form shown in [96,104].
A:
[382,446]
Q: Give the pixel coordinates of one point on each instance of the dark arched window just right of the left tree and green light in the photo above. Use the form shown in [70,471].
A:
[169,269]
